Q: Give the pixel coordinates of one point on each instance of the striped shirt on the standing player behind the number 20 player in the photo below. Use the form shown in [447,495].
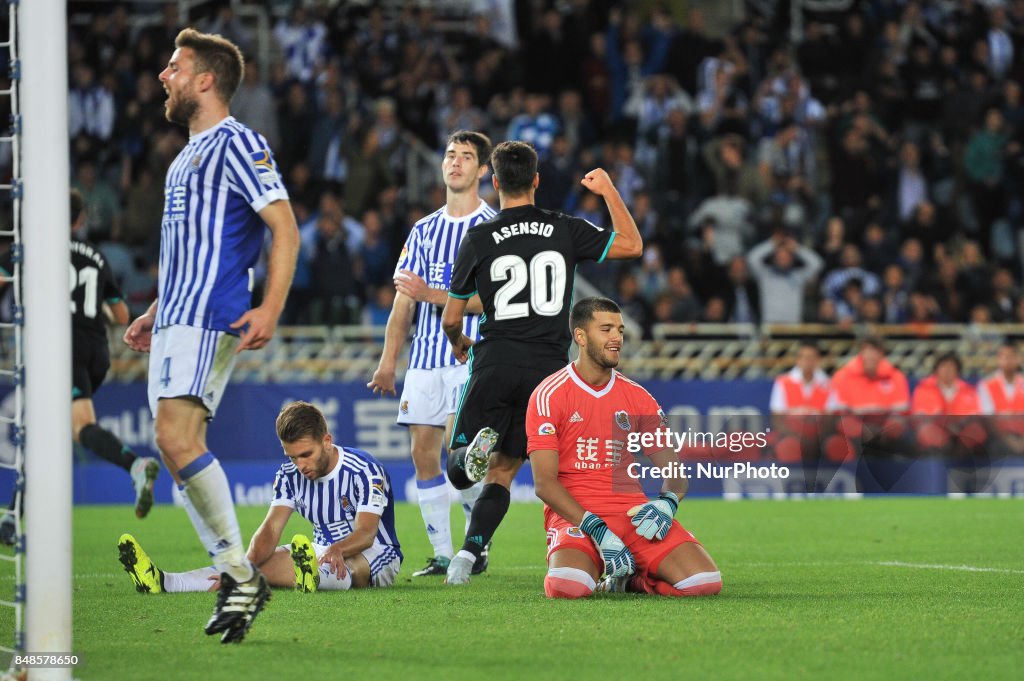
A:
[431,252]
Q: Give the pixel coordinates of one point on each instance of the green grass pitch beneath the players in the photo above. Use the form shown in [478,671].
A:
[872,589]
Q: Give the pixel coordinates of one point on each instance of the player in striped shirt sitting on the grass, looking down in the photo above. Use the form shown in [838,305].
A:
[345,493]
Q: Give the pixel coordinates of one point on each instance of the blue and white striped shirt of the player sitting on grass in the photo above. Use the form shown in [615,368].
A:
[358,484]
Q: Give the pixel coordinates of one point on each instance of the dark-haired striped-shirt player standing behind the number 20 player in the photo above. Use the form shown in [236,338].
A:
[435,379]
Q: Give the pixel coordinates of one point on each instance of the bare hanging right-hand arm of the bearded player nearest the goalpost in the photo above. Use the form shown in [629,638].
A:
[260,324]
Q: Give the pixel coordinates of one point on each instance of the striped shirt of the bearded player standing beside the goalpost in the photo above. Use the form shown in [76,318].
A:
[212,234]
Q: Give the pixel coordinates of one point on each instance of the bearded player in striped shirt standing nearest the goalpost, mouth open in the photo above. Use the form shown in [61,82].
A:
[221,192]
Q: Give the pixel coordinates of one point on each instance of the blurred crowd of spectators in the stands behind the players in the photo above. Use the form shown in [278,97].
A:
[871,172]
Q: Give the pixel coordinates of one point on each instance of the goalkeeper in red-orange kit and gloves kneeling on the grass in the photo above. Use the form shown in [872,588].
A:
[581,425]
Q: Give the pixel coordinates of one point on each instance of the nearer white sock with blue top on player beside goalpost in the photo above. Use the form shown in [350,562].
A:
[207,487]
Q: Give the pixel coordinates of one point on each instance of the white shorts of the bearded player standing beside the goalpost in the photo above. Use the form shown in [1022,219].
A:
[191,362]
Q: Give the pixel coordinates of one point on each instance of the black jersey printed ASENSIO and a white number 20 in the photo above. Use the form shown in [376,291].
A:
[523,264]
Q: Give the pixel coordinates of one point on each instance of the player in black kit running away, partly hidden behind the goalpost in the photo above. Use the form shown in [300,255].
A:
[93,286]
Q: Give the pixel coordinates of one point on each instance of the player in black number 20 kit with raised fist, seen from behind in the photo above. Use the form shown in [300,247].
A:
[523,264]
